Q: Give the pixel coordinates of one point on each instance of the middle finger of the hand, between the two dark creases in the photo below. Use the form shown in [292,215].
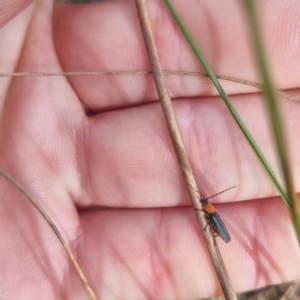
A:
[130,159]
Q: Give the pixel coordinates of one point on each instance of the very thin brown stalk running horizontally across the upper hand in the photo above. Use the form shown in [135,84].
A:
[144,72]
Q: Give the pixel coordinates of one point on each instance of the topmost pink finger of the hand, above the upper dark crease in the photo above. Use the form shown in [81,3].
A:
[116,43]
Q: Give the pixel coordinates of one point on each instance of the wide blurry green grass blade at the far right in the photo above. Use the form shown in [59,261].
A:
[274,111]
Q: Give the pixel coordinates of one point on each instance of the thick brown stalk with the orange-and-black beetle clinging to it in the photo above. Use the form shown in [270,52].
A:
[181,153]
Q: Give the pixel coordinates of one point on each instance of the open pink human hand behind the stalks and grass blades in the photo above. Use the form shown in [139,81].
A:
[83,142]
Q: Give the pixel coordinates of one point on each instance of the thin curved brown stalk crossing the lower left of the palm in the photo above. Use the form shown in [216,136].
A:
[76,265]
